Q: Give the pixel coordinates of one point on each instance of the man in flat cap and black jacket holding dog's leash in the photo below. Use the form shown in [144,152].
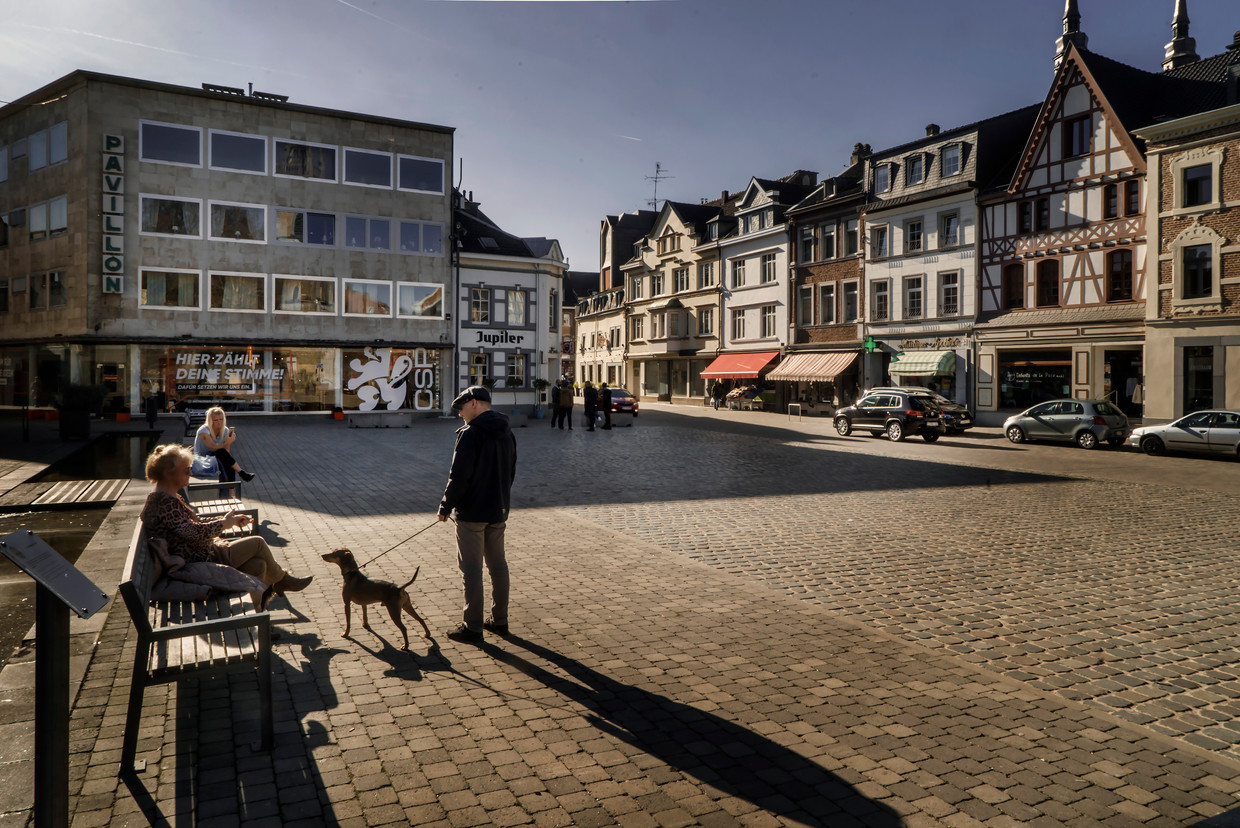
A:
[478,498]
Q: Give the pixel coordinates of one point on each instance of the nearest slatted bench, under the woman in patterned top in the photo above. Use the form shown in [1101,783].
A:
[177,639]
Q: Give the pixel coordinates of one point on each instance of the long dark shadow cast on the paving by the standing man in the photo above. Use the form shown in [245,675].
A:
[704,746]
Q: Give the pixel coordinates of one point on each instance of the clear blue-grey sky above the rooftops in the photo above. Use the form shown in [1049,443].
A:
[564,108]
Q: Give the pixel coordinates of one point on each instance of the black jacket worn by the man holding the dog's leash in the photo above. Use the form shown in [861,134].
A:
[484,465]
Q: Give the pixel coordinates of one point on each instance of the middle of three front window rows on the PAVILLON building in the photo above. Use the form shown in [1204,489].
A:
[260,225]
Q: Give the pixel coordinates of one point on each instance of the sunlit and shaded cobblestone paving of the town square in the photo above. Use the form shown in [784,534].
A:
[668,667]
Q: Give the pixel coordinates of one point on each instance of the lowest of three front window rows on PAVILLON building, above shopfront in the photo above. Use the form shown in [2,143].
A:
[256,293]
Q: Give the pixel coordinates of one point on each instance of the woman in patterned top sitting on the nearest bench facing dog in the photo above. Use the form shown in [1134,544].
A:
[168,516]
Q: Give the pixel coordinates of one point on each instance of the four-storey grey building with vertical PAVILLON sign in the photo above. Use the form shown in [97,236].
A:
[213,247]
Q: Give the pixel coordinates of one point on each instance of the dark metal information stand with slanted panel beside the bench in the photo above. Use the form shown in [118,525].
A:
[61,588]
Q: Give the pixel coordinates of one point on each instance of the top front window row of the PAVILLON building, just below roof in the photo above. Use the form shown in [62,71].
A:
[183,146]
